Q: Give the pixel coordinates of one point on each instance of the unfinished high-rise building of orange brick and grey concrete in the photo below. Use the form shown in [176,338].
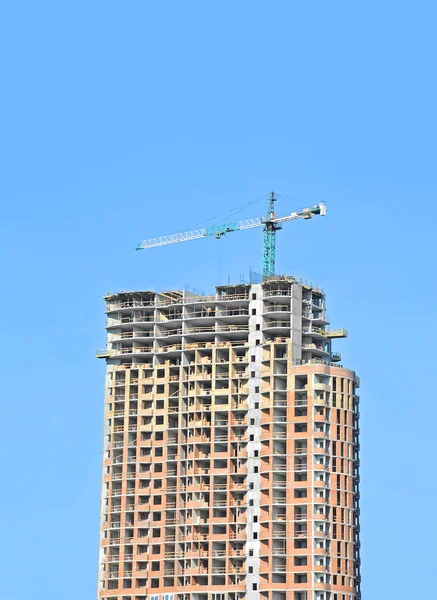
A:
[230,462]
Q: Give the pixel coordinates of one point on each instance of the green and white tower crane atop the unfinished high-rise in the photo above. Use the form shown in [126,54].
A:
[270,222]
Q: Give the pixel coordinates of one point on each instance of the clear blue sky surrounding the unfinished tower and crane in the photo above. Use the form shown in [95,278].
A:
[127,120]
